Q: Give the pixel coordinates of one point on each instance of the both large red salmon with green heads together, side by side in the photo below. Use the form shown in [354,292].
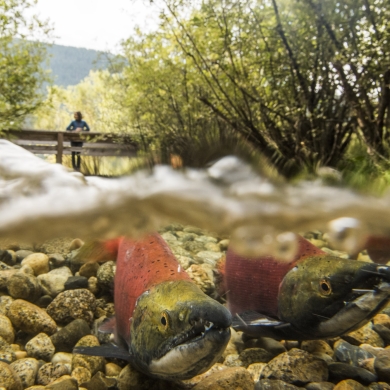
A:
[166,327]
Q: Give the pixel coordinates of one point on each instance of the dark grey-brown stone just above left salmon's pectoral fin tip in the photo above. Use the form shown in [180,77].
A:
[66,338]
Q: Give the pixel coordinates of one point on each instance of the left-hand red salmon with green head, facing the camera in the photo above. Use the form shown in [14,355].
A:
[165,326]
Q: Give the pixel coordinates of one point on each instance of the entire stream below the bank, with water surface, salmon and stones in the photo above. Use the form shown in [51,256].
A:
[214,278]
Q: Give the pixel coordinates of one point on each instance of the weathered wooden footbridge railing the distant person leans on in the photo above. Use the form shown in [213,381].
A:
[58,143]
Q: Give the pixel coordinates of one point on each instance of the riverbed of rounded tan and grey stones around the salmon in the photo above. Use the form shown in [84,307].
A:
[49,304]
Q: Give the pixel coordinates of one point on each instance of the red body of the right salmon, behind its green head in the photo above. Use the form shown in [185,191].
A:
[252,284]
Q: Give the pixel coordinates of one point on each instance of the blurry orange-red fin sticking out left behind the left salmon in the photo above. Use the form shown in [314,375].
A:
[97,251]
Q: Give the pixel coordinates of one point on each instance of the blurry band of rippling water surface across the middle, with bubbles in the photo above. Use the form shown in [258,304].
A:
[39,201]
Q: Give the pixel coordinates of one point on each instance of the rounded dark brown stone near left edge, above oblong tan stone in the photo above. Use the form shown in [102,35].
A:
[24,286]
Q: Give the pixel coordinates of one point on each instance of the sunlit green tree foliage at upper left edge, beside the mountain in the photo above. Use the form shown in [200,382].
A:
[21,75]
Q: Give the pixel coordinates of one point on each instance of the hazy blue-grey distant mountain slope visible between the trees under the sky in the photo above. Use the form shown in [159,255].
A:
[69,65]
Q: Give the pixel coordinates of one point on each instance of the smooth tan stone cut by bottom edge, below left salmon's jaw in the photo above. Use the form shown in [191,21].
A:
[231,378]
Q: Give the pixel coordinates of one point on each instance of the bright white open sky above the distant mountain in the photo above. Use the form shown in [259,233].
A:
[96,24]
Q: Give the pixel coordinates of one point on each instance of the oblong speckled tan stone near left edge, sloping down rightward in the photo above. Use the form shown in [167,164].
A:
[30,318]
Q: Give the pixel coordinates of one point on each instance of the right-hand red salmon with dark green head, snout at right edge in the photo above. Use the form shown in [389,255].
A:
[315,296]
